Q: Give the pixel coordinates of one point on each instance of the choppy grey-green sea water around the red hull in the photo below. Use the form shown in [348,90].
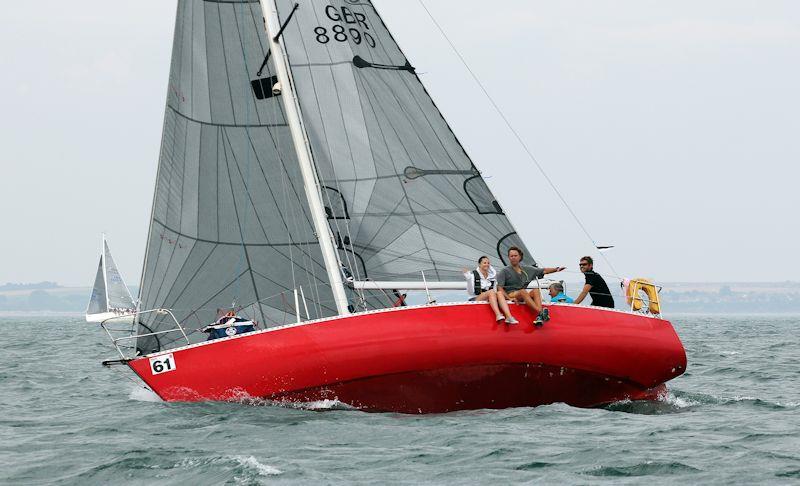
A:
[733,417]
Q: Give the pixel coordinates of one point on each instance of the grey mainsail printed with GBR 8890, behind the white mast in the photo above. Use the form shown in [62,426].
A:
[401,193]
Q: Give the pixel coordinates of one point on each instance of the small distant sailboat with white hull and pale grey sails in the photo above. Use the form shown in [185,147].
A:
[110,298]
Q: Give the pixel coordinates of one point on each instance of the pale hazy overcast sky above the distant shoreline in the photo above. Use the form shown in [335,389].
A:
[671,128]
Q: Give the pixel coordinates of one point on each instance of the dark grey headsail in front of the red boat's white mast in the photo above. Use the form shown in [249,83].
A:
[230,225]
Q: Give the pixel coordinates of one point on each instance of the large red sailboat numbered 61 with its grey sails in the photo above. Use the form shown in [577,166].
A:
[306,180]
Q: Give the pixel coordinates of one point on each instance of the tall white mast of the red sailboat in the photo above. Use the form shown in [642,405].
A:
[305,159]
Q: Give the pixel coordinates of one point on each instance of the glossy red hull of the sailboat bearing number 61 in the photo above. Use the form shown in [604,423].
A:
[435,358]
